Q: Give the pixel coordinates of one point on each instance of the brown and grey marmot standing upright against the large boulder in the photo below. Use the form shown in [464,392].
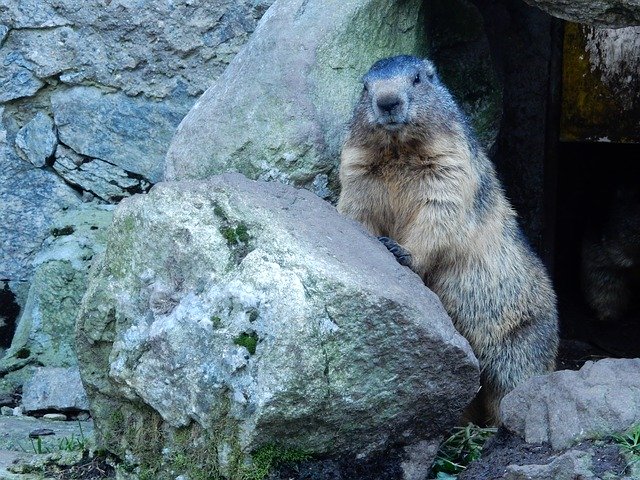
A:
[413,174]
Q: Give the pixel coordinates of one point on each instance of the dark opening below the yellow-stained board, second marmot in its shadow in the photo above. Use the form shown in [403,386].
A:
[597,249]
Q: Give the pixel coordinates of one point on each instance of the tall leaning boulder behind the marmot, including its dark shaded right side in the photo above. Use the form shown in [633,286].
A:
[280,110]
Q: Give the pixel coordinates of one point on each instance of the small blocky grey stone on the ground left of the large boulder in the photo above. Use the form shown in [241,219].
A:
[54,389]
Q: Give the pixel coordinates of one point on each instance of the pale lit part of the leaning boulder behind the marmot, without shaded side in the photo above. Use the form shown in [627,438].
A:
[279,111]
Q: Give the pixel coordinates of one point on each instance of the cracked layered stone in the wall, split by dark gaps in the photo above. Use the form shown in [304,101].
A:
[97,177]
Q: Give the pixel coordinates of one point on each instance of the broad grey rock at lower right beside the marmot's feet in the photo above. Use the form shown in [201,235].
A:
[567,406]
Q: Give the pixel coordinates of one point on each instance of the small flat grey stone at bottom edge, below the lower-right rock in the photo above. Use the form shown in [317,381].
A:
[571,465]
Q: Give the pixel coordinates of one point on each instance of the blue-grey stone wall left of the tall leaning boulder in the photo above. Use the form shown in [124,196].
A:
[116,77]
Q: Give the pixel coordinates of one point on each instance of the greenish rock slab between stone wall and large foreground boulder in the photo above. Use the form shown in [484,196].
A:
[44,332]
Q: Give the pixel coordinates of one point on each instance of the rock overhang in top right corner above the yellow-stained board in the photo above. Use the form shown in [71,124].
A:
[601,13]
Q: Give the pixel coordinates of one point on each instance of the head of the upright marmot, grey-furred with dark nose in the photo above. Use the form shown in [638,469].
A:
[403,95]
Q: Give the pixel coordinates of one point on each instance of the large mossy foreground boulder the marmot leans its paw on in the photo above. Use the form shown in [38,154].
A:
[243,313]
